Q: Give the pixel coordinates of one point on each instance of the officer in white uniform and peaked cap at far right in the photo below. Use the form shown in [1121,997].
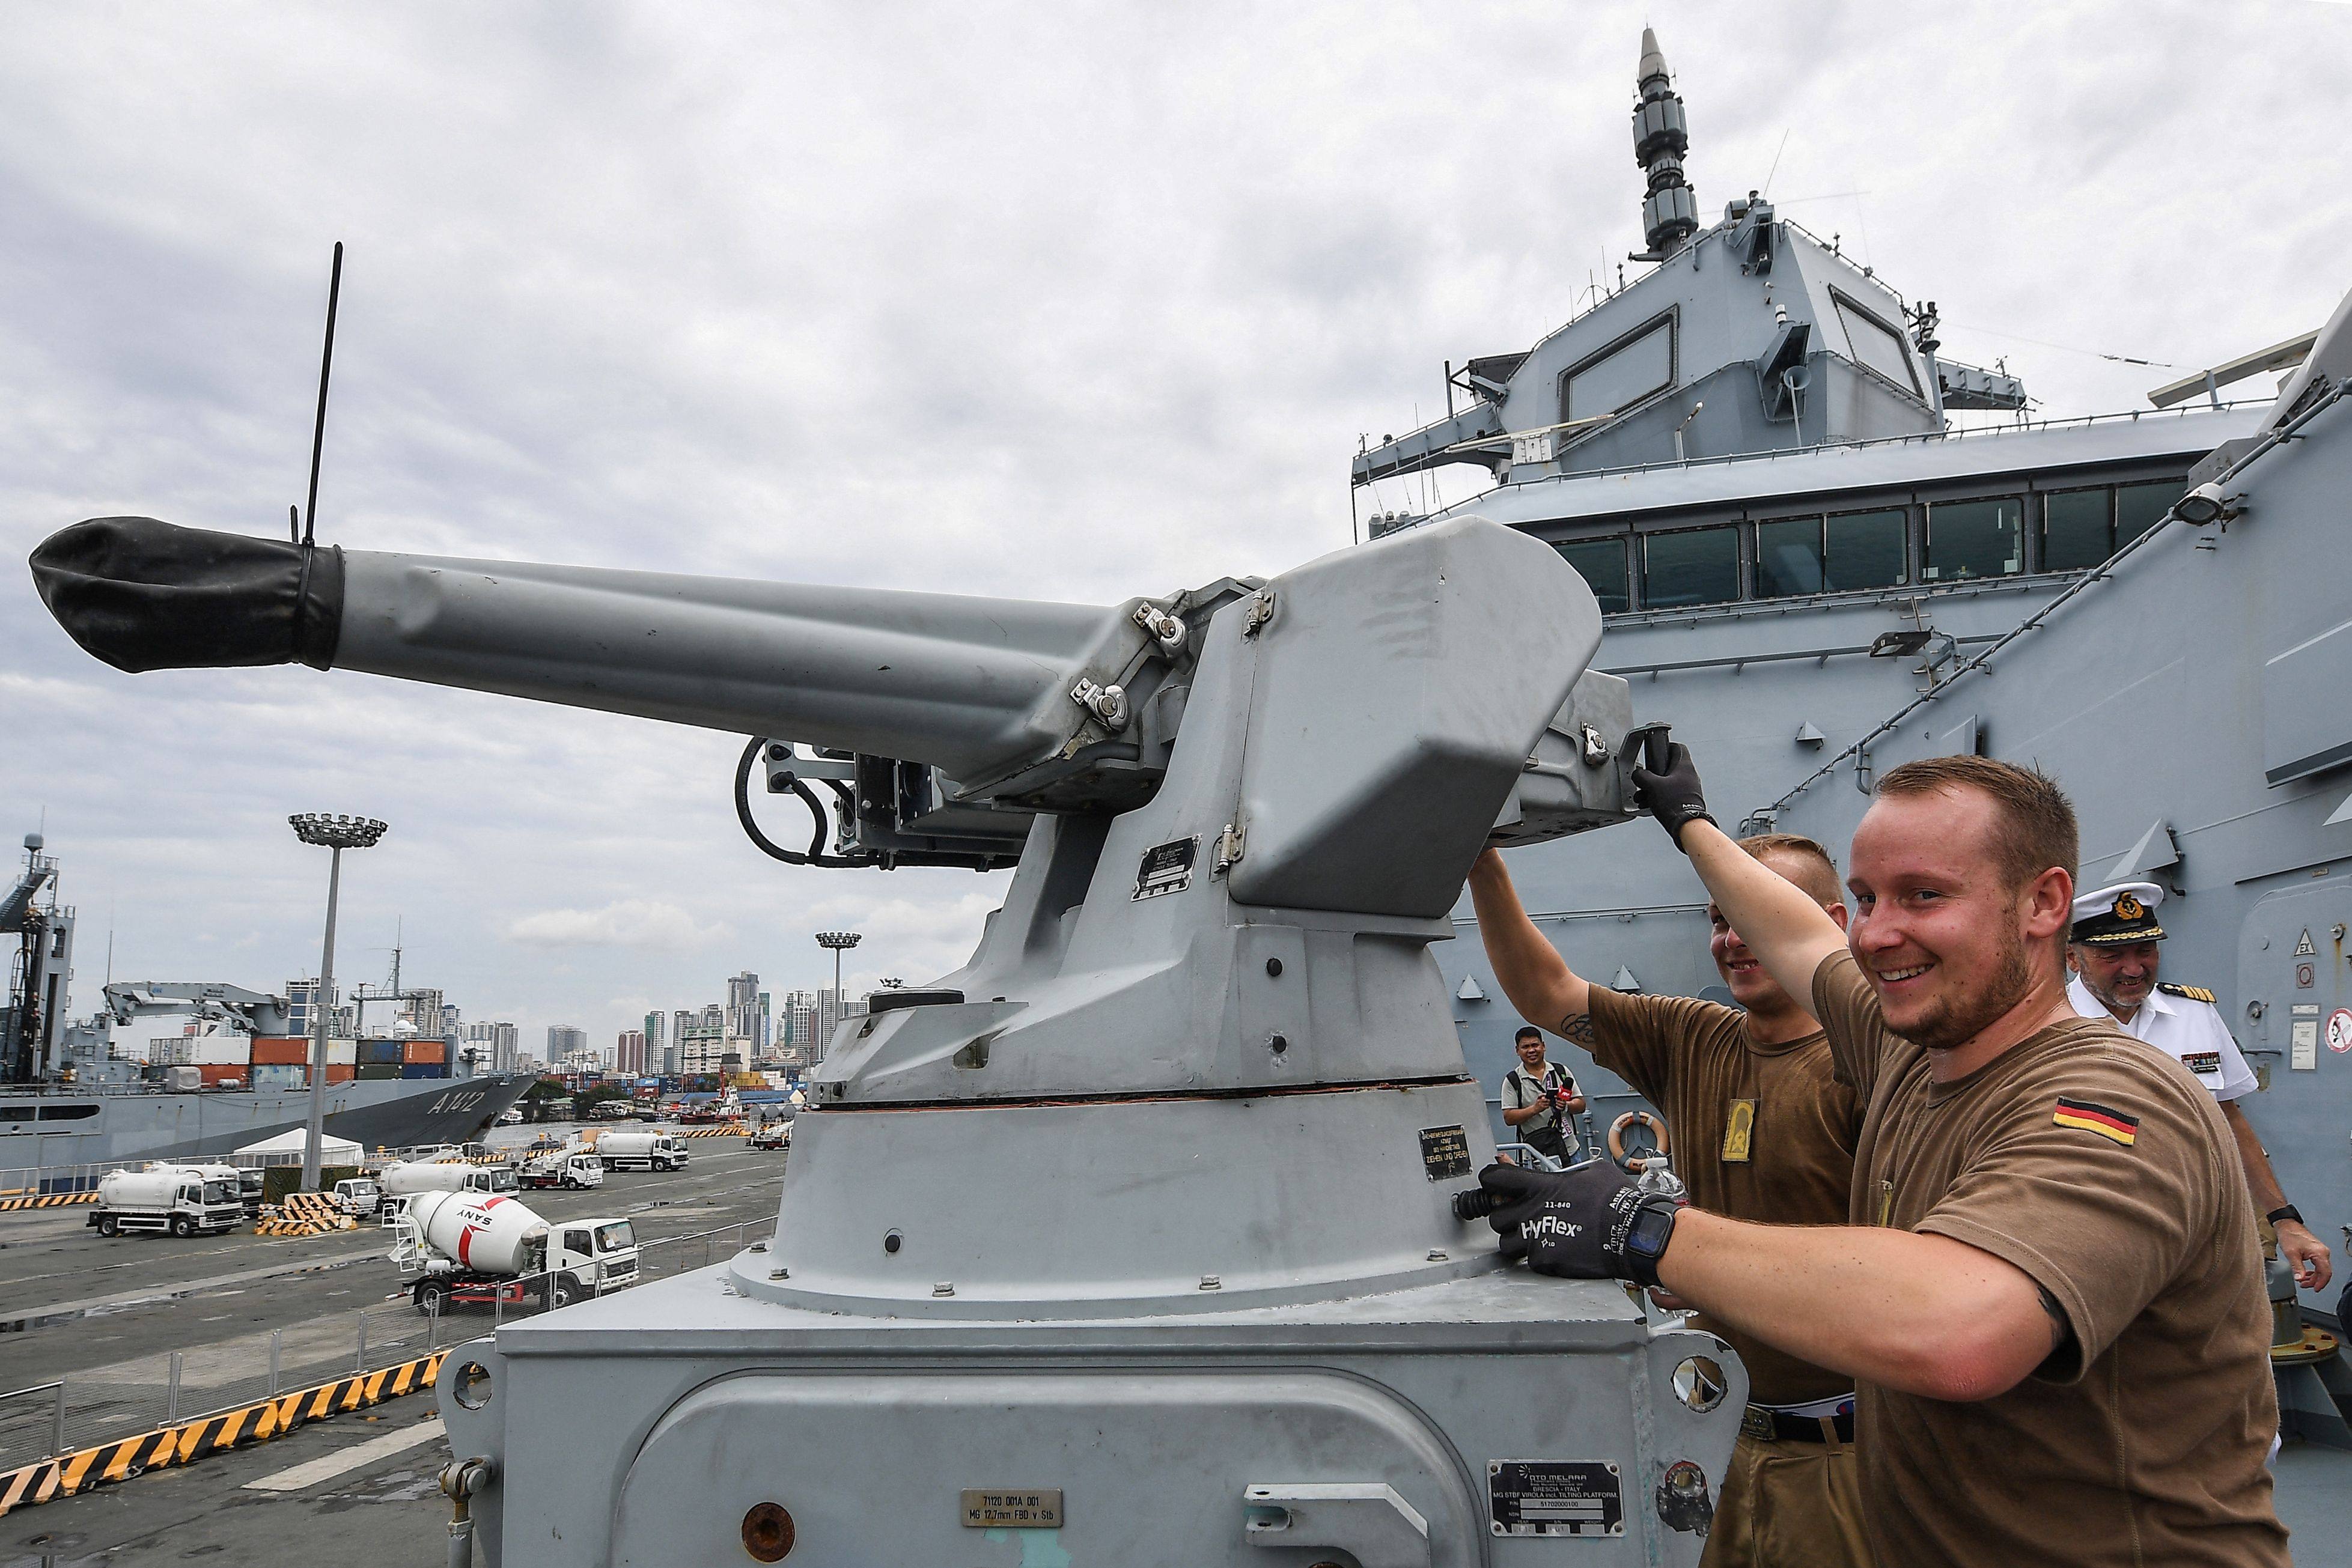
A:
[2113,953]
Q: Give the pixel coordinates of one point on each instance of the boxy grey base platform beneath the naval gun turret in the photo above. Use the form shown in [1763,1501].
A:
[1377,1430]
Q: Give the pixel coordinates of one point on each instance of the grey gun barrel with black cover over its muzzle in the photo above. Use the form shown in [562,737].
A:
[963,683]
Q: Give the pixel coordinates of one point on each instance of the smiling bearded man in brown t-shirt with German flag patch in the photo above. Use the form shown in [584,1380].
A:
[2050,1287]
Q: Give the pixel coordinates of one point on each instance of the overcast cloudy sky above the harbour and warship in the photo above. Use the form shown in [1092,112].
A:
[1057,302]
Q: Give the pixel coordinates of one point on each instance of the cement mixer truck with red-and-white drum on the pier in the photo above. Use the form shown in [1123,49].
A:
[474,1249]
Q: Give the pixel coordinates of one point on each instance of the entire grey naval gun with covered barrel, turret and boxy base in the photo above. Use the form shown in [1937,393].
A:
[1137,1231]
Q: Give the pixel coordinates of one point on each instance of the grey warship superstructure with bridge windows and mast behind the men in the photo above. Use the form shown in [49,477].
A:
[1812,572]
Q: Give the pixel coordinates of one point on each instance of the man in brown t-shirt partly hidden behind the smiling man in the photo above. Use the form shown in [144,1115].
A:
[1763,1132]
